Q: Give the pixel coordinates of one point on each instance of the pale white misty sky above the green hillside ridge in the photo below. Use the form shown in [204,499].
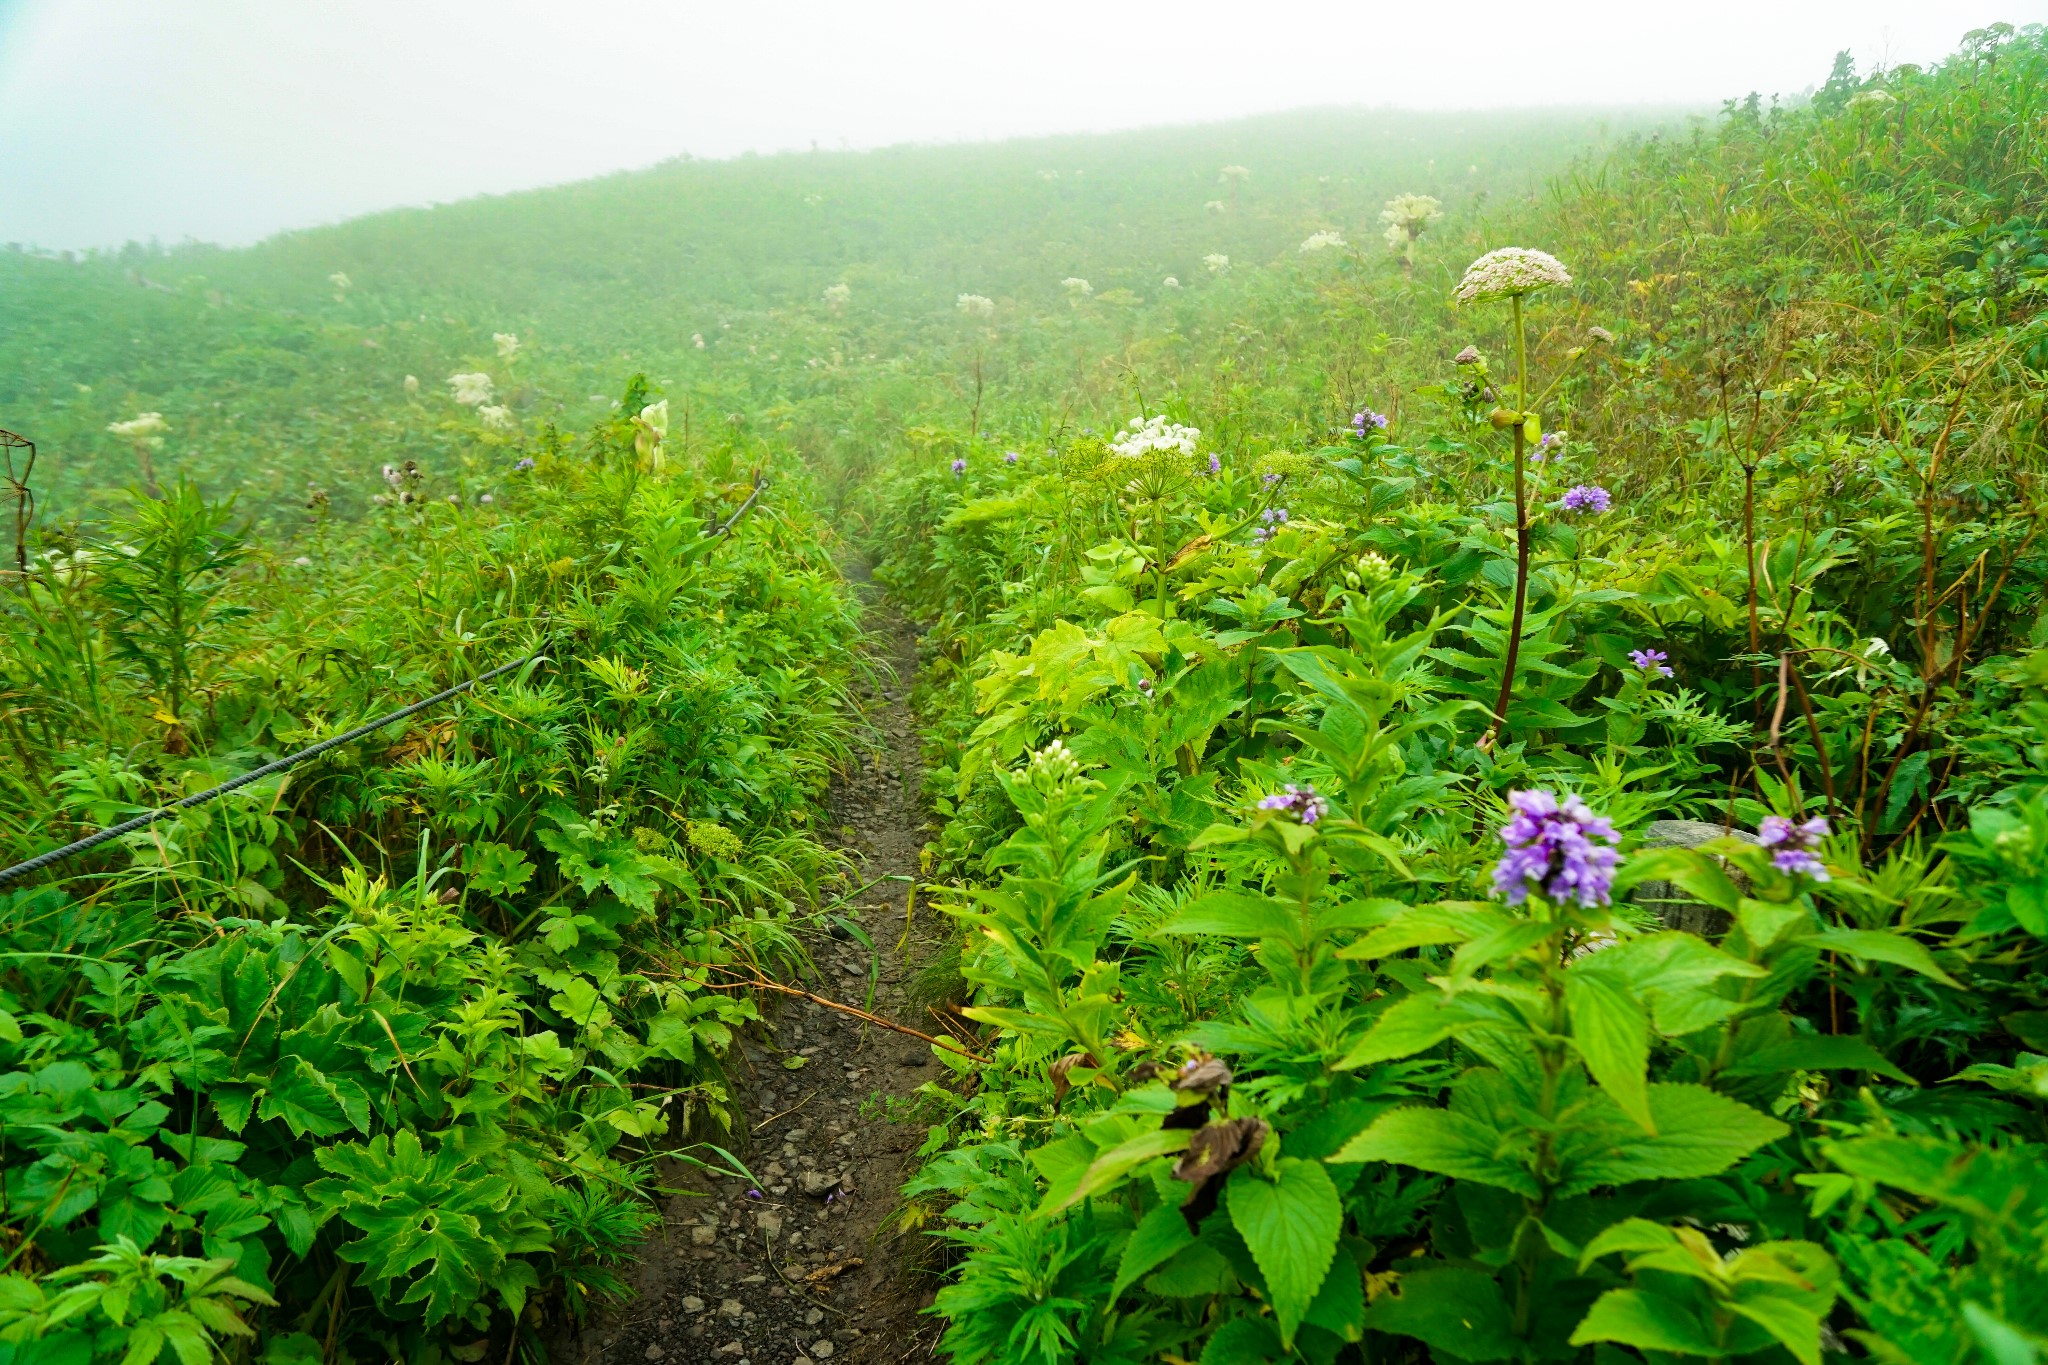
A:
[232,120]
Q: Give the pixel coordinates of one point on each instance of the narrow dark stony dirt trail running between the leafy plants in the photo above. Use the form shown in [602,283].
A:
[820,1137]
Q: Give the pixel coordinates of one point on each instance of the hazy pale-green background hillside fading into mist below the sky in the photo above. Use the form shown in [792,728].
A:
[271,376]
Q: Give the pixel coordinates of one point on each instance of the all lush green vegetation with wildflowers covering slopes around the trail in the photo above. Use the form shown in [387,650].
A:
[1310,660]
